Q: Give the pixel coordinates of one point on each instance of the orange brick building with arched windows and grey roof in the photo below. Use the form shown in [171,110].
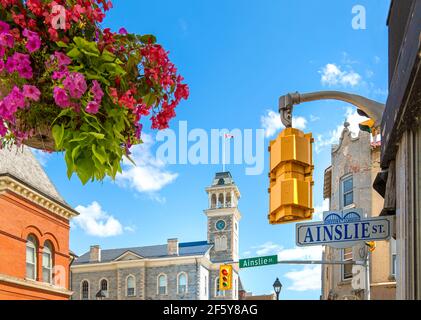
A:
[34,231]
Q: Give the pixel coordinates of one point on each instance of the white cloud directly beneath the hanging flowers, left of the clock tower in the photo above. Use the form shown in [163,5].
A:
[149,175]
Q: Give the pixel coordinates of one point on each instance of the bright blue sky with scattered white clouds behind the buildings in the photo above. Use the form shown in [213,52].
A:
[238,57]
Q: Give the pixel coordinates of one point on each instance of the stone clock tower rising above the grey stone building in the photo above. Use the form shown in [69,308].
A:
[223,218]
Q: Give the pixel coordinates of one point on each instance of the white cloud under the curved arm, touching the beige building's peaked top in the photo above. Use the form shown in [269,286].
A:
[353,118]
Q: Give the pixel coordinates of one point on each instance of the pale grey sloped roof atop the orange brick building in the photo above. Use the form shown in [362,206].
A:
[21,164]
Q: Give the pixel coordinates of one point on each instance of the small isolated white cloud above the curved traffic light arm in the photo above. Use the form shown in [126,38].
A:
[332,75]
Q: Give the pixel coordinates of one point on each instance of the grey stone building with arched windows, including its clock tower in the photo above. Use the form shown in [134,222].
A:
[174,270]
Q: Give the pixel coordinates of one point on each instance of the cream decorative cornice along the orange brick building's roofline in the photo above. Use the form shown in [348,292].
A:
[18,187]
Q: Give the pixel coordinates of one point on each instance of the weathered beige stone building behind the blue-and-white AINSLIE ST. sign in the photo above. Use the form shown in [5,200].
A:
[348,184]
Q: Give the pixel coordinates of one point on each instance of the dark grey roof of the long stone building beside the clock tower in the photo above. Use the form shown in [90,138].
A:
[149,252]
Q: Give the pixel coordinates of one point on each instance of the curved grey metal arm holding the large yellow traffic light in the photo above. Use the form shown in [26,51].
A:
[372,108]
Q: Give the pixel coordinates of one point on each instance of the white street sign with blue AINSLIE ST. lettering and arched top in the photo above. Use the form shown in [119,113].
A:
[343,229]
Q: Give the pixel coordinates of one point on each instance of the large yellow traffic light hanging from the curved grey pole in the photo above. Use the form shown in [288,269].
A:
[291,177]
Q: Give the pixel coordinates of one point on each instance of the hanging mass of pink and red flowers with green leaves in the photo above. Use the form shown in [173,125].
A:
[67,85]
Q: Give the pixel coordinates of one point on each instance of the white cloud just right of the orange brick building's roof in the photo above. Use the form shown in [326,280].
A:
[95,222]
